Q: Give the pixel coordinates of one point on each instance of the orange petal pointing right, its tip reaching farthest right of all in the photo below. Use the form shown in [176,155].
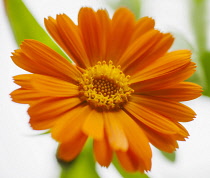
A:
[183,91]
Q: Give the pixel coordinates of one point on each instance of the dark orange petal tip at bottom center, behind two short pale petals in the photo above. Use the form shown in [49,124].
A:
[102,152]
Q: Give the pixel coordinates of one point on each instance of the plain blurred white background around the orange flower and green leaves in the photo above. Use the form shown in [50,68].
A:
[23,154]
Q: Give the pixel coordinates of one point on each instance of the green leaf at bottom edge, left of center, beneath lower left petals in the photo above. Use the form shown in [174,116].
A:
[82,166]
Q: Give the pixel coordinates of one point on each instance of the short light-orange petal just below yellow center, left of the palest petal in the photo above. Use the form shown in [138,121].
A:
[94,125]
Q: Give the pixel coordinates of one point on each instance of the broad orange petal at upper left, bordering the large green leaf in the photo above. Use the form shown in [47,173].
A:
[36,57]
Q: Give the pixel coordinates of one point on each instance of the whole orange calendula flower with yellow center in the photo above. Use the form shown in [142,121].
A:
[123,88]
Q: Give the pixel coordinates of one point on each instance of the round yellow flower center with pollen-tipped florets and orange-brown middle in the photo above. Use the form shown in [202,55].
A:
[104,86]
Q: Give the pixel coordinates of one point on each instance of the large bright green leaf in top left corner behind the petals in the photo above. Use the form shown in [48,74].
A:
[25,26]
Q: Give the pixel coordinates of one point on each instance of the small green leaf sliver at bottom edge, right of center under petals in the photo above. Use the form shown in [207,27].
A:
[126,174]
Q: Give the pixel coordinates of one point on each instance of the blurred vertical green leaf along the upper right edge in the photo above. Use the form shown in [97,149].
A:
[198,14]
